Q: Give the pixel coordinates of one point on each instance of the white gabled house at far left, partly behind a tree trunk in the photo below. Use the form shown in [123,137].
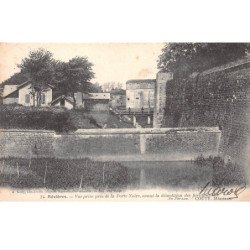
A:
[22,94]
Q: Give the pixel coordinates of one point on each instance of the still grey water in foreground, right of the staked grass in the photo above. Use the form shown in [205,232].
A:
[178,174]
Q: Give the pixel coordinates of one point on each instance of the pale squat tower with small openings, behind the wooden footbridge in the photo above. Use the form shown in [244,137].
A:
[140,94]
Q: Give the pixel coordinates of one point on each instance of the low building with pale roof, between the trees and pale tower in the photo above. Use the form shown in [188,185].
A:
[92,101]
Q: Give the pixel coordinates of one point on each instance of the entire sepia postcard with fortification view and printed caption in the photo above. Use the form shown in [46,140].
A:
[125,121]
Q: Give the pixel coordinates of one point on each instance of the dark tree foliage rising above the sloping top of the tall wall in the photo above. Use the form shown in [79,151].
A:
[183,59]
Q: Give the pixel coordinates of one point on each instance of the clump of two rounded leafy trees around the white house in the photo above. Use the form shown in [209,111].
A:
[42,69]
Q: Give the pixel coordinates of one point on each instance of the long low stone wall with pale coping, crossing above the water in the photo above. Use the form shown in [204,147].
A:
[162,144]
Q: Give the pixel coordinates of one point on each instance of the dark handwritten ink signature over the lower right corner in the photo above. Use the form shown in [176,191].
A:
[231,192]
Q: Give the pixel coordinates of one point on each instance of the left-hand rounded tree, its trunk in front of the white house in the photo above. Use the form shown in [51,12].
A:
[39,65]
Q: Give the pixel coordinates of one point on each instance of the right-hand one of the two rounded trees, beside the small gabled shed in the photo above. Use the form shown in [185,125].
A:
[74,76]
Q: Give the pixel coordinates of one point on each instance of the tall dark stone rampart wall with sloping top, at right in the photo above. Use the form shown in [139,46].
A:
[216,97]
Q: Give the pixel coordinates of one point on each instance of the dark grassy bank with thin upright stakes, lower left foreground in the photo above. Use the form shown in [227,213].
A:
[59,174]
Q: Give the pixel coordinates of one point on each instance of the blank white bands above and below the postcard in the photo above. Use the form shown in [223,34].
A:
[124,225]
